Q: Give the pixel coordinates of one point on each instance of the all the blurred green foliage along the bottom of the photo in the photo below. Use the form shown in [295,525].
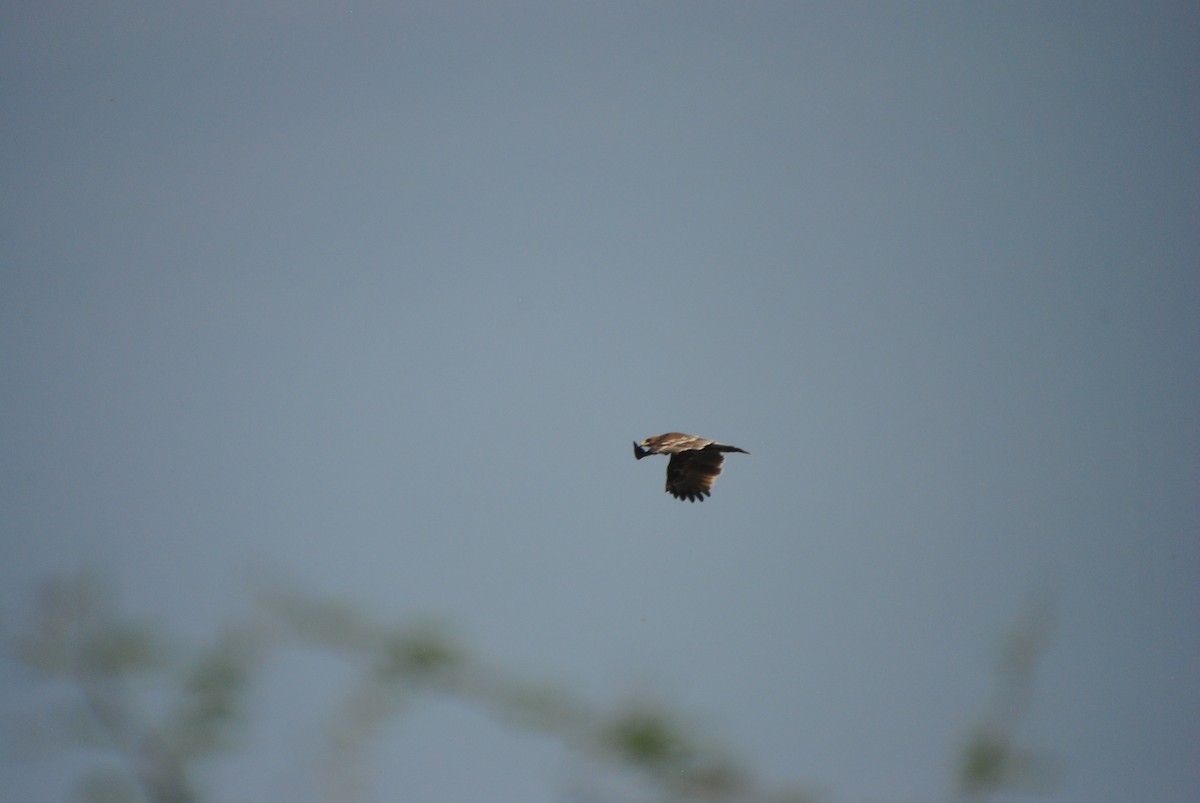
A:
[109,669]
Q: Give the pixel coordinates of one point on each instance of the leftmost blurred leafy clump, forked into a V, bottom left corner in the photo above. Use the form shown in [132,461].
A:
[76,636]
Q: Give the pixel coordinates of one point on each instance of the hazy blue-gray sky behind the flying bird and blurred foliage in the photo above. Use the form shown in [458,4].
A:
[377,296]
